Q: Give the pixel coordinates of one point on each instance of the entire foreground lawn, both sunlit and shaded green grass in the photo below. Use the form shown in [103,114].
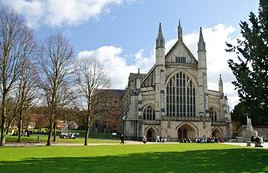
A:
[164,158]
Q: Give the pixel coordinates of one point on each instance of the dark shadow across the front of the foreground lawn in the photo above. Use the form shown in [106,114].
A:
[227,160]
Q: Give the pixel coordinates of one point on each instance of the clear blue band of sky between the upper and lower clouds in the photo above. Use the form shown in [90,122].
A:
[133,25]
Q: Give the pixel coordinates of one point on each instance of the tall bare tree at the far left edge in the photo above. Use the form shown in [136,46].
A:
[15,38]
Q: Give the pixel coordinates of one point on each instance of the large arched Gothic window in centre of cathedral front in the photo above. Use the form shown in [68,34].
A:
[181,100]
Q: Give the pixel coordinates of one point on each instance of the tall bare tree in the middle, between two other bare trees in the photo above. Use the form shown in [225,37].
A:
[55,72]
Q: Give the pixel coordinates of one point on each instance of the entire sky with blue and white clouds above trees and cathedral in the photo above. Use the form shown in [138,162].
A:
[121,33]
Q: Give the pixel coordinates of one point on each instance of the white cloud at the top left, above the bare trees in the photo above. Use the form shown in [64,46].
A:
[59,12]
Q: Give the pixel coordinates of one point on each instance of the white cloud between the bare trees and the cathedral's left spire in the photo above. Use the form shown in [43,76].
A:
[115,65]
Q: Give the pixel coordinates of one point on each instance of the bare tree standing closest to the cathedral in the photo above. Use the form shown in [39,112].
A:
[91,77]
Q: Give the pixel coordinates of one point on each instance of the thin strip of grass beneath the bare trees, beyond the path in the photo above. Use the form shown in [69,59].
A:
[43,139]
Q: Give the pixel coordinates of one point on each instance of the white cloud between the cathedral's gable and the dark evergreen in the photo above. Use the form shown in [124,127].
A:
[215,38]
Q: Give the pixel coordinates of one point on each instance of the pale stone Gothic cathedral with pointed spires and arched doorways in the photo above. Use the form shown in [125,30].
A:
[172,100]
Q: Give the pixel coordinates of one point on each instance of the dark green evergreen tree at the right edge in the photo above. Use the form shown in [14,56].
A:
[251,67]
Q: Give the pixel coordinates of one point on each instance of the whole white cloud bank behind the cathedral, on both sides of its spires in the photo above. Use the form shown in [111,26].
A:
[215,37]
